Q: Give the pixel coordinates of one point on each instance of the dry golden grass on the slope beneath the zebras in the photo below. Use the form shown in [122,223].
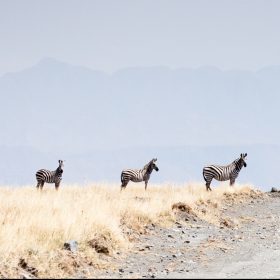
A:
[35,225]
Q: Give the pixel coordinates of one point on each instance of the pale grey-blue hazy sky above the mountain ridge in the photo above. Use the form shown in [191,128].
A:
[109,35]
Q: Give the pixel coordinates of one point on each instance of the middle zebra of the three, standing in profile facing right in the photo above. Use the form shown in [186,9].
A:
[138,175]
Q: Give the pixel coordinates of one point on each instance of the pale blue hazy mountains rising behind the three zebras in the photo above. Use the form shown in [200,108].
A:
[101,123]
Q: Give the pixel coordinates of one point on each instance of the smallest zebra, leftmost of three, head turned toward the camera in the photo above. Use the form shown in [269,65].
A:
[47,176]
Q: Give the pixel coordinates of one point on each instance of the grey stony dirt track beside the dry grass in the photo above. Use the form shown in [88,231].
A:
[250,250]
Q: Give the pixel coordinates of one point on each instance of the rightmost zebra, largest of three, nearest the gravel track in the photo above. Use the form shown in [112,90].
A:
[224,173]
